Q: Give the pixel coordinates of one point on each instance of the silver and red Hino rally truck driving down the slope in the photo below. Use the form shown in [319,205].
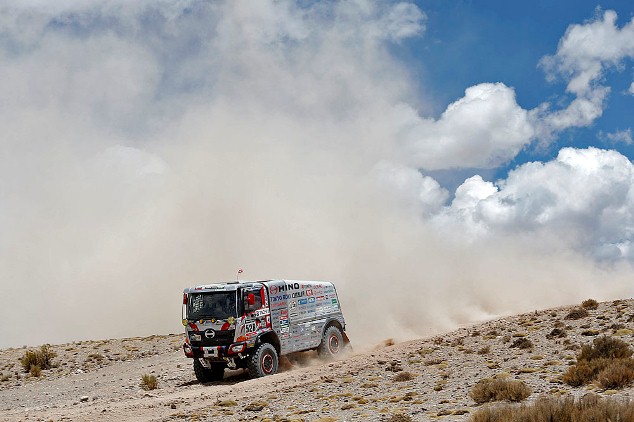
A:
[251,324]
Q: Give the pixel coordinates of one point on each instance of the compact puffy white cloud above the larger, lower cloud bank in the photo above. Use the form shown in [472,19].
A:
[484,129]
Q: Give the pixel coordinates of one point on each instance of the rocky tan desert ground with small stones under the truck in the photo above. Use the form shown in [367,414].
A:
[427,379]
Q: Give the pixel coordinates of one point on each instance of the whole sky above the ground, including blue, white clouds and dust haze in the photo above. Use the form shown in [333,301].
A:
[151,145]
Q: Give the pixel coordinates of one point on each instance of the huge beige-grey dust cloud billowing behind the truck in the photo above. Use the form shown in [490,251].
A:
[121,184]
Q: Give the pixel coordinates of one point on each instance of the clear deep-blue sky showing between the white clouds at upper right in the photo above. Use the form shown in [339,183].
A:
[468,42]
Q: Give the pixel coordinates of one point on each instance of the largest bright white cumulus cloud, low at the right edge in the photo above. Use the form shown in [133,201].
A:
[584,199]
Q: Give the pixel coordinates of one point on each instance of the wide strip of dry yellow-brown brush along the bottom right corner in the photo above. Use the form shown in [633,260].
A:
[590,408]
